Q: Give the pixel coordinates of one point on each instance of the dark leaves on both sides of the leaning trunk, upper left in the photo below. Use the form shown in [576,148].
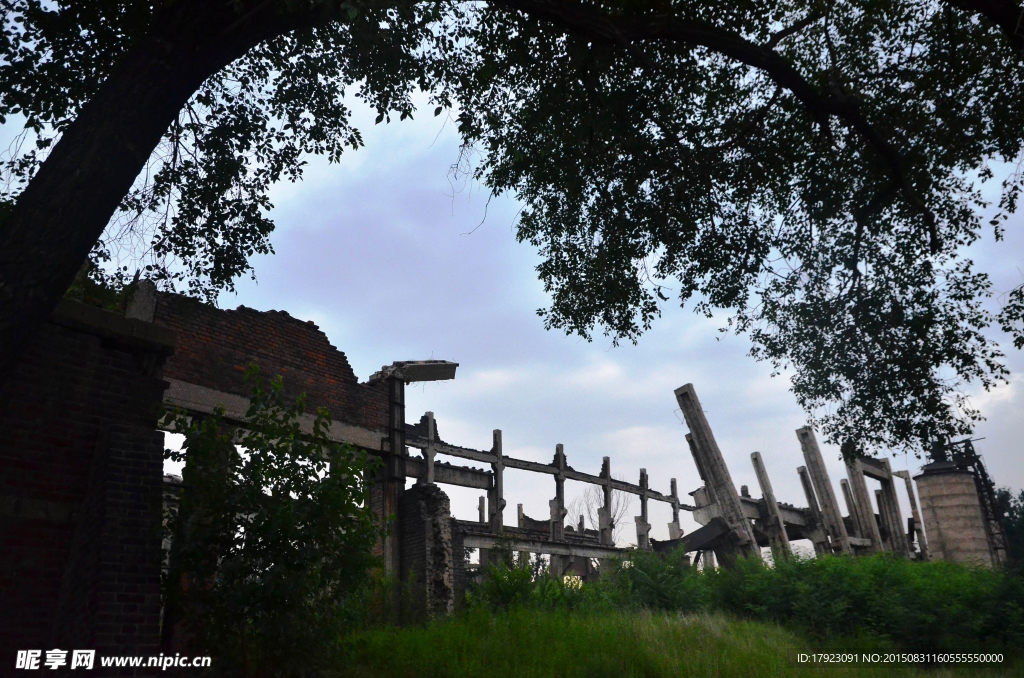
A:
[200,209]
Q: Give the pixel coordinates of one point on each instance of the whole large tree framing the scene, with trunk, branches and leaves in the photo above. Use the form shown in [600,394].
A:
[812,167]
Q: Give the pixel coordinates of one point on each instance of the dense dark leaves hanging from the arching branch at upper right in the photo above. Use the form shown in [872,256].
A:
[654,166]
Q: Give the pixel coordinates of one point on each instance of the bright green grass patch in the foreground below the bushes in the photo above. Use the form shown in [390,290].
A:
[526,643]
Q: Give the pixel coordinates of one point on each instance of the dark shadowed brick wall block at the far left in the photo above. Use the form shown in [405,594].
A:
[80,488]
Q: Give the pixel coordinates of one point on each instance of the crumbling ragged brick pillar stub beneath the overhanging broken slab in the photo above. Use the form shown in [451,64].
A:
[428,567]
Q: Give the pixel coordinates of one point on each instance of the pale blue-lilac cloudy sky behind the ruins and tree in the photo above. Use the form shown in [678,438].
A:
[395,262]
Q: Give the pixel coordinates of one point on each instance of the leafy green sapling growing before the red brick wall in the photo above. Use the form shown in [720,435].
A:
[273,541]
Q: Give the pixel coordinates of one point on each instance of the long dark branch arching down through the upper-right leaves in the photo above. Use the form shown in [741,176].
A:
[589,22]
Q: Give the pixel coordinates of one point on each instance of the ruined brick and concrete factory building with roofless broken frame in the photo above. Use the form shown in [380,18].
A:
[82,487]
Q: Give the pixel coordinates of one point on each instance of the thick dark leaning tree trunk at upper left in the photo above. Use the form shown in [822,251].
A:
[65,208]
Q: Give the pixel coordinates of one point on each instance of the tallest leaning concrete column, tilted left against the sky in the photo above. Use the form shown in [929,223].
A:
[718,479]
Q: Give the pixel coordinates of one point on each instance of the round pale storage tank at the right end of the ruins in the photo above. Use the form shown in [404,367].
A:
[951,511]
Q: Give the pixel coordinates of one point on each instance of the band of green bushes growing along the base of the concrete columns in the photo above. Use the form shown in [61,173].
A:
[924,608]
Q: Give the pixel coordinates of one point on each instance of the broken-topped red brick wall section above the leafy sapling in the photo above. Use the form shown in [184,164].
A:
[216,347]
